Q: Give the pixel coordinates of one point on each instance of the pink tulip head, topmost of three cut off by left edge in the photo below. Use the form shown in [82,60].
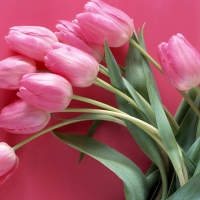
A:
[13,68]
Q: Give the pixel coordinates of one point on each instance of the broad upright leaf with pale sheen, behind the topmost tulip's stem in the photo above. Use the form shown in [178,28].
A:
[134,72]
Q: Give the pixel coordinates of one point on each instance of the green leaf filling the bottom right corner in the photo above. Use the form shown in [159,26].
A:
[189,191]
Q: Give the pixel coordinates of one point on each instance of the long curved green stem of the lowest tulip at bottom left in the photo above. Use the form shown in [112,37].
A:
[64,123]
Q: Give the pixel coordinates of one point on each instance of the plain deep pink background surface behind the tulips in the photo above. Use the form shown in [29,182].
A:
[48,168]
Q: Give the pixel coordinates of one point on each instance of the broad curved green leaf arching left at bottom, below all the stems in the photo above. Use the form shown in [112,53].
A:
[135,183]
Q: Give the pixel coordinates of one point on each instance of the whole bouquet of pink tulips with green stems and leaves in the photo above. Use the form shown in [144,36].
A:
[74,56]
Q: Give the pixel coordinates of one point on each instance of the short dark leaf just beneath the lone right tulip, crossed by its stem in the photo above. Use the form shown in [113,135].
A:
[184,106]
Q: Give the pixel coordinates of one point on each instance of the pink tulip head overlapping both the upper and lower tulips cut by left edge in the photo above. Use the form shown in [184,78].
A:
[47,91]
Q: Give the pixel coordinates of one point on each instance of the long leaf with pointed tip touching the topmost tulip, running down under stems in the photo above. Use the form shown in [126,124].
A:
[146,143]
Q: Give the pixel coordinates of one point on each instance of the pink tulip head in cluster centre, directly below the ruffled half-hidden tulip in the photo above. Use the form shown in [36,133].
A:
[75,65]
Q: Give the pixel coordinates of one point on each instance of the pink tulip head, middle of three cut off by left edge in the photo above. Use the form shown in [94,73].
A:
[23,118]
